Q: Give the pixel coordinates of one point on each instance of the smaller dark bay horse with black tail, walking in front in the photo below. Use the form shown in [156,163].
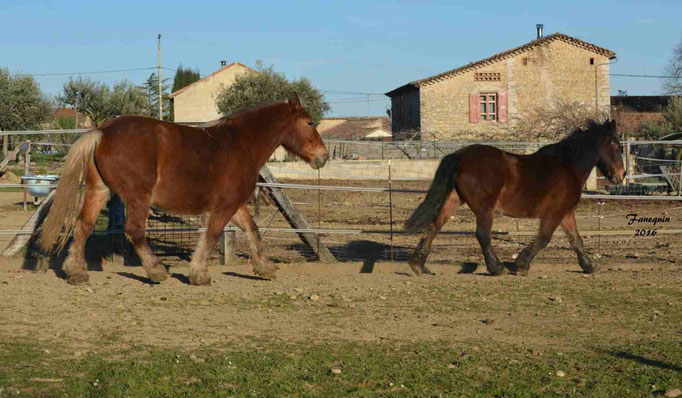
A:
[546,185]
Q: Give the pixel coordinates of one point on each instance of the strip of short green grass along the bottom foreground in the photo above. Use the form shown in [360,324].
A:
[475,369]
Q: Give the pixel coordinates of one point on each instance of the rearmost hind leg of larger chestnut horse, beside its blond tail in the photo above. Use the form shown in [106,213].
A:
[96,195]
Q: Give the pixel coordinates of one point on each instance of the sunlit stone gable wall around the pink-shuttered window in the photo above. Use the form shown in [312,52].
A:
[533,80]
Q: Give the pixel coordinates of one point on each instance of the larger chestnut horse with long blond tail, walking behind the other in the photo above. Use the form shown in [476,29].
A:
[180,169]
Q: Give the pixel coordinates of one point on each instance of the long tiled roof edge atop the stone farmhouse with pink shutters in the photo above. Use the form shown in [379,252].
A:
[509,53]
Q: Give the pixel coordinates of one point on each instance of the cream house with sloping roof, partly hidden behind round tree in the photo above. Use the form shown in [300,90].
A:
[195,103]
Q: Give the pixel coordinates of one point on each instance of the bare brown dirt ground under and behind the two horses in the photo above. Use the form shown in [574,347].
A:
[365,297]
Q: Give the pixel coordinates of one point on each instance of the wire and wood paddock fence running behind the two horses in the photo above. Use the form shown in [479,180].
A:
[359,214]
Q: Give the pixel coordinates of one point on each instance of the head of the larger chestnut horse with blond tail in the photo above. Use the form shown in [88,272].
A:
[302,138]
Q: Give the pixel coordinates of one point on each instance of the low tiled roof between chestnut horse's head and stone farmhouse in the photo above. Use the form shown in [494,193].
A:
[352,128]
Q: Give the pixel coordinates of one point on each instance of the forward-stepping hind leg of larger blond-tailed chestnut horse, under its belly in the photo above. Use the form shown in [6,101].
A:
[136,221]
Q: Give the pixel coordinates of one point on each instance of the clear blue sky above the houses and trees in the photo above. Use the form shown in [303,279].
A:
[353,50]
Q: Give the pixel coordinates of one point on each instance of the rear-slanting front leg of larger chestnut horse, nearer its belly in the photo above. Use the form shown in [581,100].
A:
[198,270]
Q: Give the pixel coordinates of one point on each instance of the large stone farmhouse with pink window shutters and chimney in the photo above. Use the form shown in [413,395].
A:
[485,99]
